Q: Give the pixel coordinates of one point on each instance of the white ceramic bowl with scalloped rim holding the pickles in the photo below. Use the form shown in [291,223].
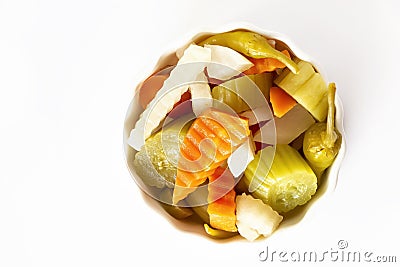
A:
[169,58]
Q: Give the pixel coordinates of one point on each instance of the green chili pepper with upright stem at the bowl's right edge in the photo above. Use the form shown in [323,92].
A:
[322,141]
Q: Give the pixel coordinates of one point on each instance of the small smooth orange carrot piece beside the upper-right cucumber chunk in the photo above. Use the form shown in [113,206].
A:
[281,101]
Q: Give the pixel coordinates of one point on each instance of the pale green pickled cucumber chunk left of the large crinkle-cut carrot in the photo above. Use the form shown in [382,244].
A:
[156,161]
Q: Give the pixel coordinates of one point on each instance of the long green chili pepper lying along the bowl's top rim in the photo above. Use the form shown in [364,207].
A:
[250,44]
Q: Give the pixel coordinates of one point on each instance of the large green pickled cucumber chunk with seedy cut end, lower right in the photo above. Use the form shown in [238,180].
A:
[285,183]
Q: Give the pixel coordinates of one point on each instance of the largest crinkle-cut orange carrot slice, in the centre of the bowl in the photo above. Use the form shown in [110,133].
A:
[207,144]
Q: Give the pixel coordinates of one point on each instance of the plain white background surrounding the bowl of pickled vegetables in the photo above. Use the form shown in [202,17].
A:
[67,74]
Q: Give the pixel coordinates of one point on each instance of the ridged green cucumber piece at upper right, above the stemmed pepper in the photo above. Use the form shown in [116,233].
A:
[307,87]
